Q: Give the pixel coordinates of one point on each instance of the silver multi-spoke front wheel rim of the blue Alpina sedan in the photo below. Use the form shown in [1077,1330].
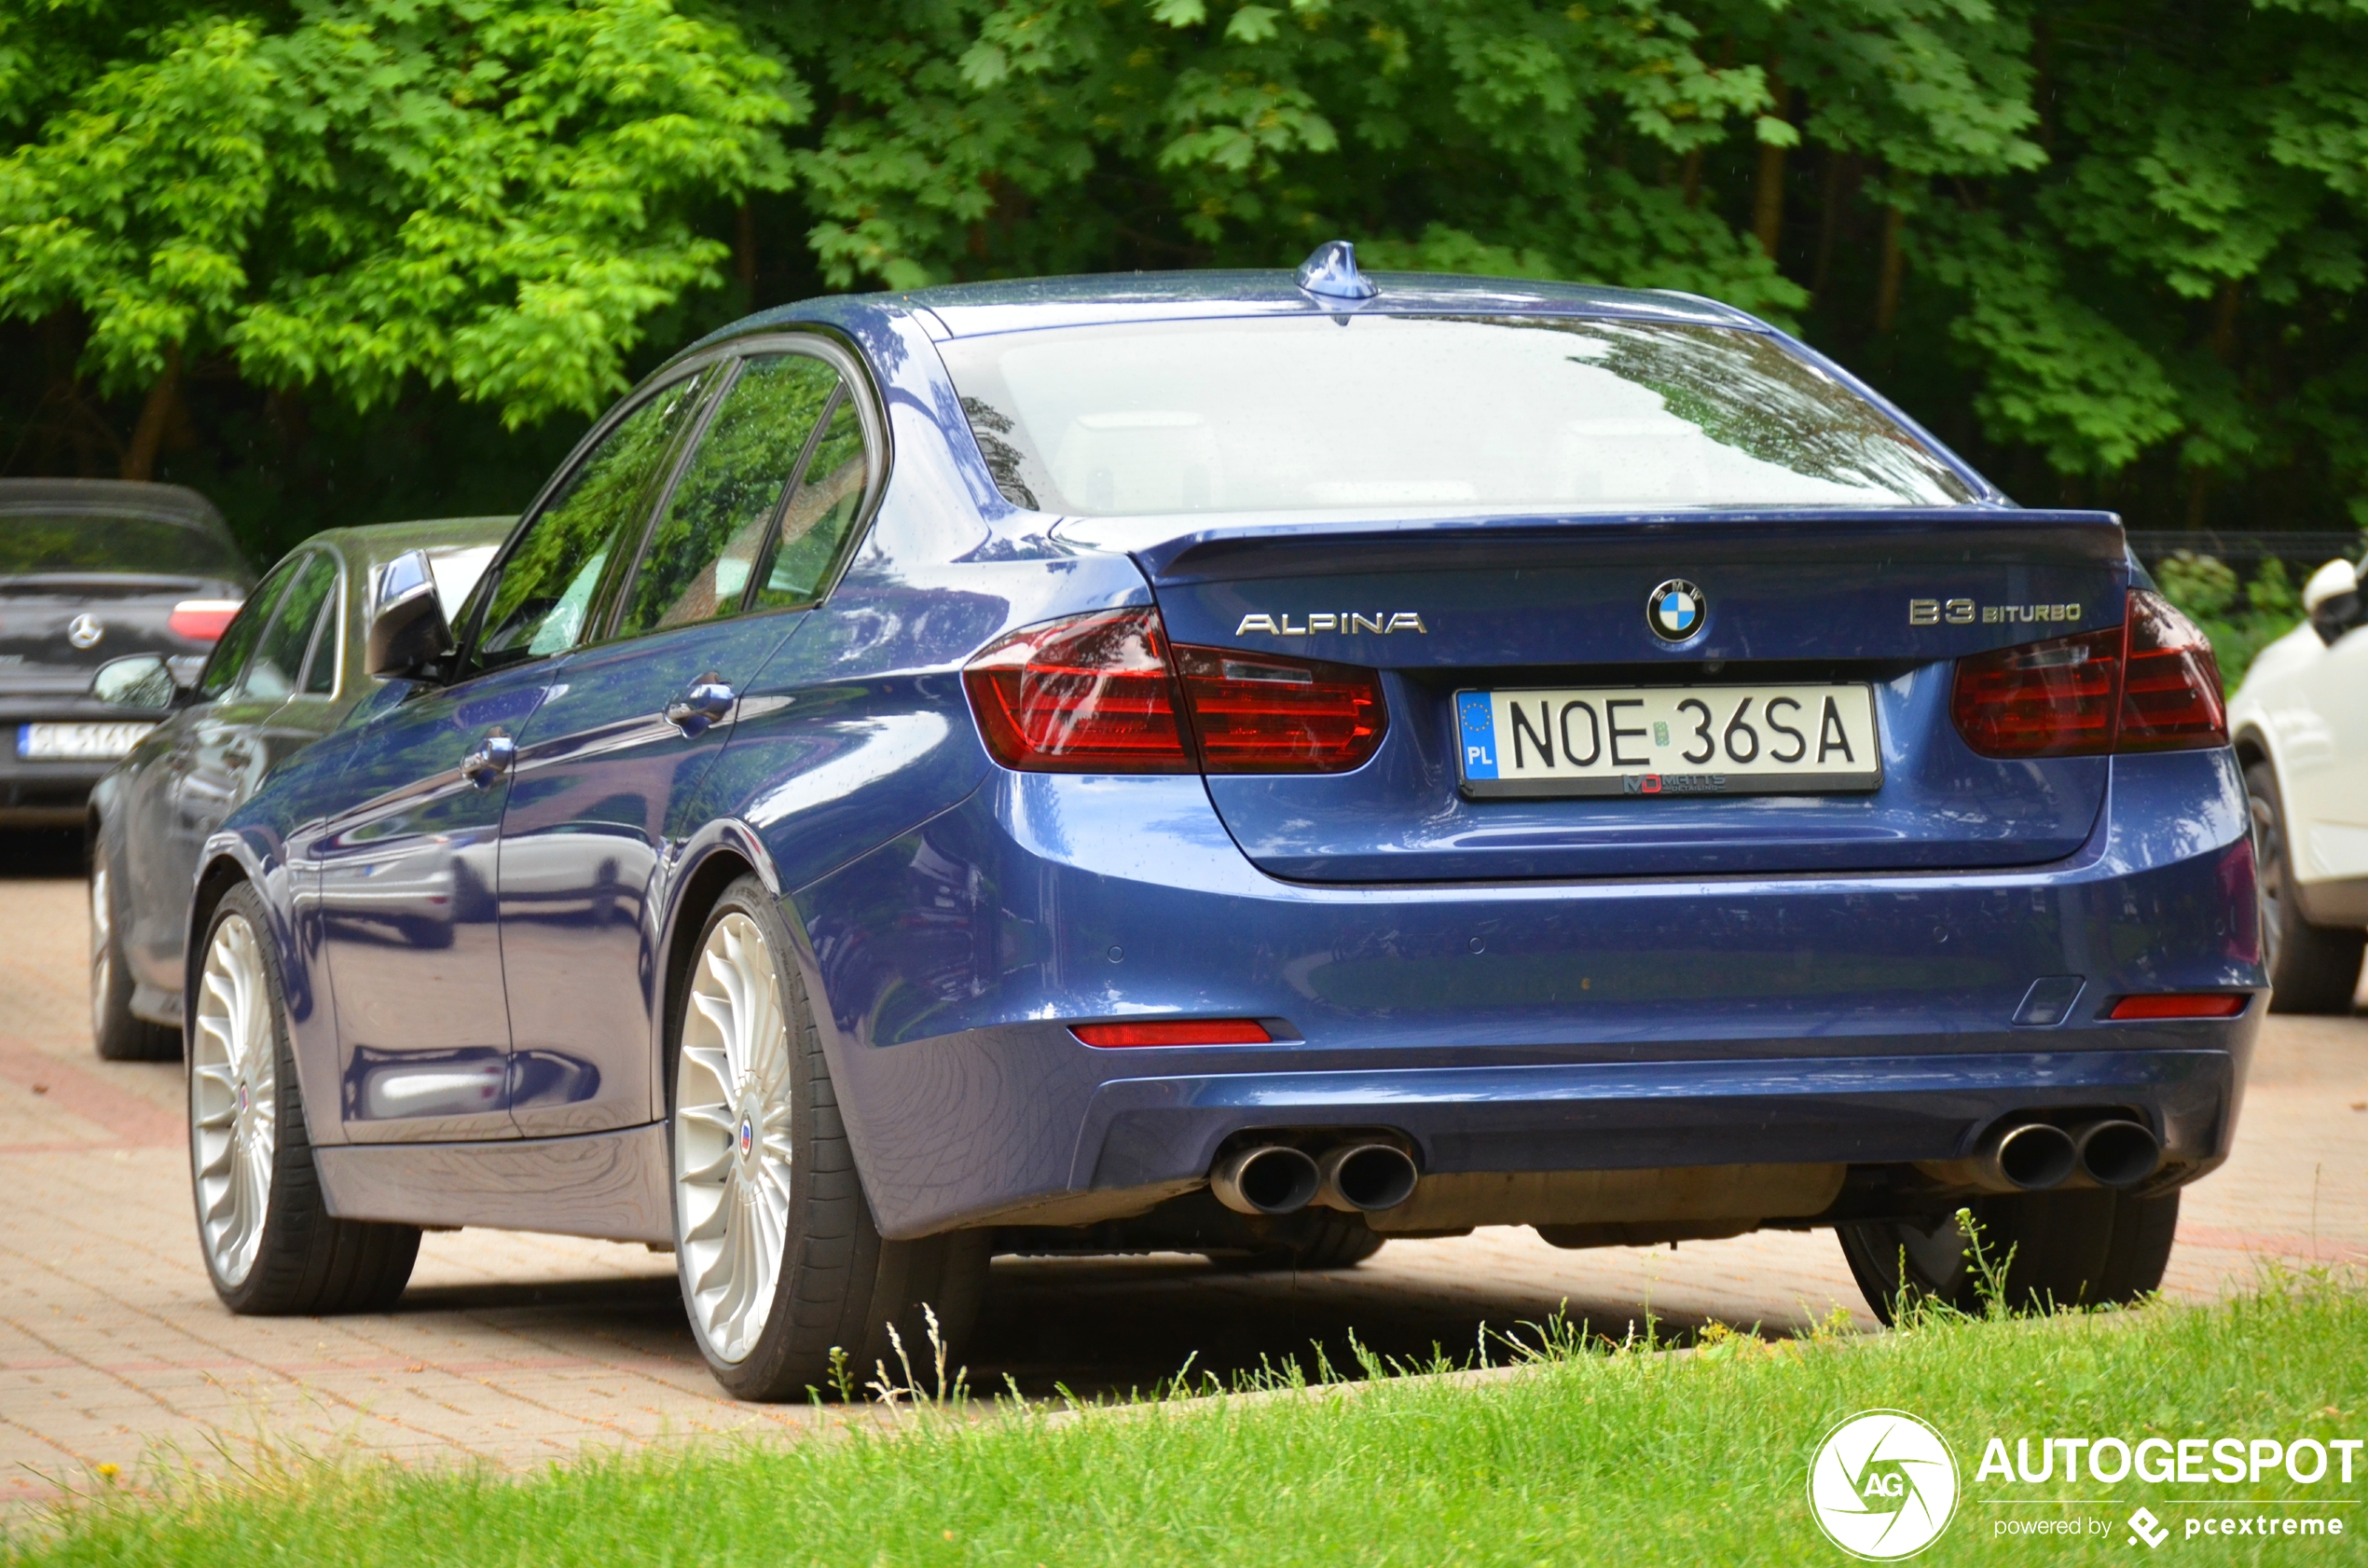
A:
[233,1100]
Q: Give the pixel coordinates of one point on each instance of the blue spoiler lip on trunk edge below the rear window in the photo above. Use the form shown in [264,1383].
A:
[1199,548]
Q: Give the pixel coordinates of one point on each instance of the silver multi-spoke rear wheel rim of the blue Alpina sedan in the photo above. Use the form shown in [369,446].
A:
[733,1148]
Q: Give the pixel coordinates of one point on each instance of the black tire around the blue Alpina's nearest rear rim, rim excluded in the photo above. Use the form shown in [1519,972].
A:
[842,1285]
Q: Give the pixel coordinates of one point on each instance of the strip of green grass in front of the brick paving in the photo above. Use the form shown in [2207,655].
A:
[1585,1458]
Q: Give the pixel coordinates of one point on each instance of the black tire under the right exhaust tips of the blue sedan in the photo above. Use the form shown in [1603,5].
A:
[2059,1249]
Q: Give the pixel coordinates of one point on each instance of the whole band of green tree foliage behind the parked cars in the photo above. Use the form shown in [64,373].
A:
[2109,250]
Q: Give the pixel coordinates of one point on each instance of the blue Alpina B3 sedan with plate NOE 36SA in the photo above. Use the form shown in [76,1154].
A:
[1249,764]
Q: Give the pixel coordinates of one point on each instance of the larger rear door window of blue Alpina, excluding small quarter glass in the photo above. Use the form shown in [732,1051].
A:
[723,510]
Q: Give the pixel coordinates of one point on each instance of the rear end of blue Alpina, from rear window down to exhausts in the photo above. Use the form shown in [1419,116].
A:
[1645,802]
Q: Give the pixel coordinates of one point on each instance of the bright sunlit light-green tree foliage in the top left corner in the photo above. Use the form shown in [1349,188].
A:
[354,193]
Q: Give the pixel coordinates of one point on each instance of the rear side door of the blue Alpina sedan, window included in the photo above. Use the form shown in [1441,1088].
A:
[610,776]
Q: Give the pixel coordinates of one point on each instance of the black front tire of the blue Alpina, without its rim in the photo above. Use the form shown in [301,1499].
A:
[307,1264]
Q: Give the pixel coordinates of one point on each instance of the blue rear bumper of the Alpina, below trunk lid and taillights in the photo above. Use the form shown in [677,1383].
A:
[1533,1027]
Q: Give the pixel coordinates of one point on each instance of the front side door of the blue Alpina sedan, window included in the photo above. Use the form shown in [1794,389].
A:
[408,873]
